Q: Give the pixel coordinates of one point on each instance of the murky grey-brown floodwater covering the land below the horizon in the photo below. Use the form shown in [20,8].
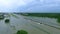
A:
[30,24]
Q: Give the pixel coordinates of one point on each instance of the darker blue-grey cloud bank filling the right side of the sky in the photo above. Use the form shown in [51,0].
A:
[51,6]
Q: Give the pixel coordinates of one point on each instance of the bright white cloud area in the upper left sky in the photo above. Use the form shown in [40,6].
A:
[12,5]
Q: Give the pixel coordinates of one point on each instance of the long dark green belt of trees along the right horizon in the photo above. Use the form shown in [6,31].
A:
[49,15]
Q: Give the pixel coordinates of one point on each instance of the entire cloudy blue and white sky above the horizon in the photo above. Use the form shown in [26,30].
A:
[29,5]
